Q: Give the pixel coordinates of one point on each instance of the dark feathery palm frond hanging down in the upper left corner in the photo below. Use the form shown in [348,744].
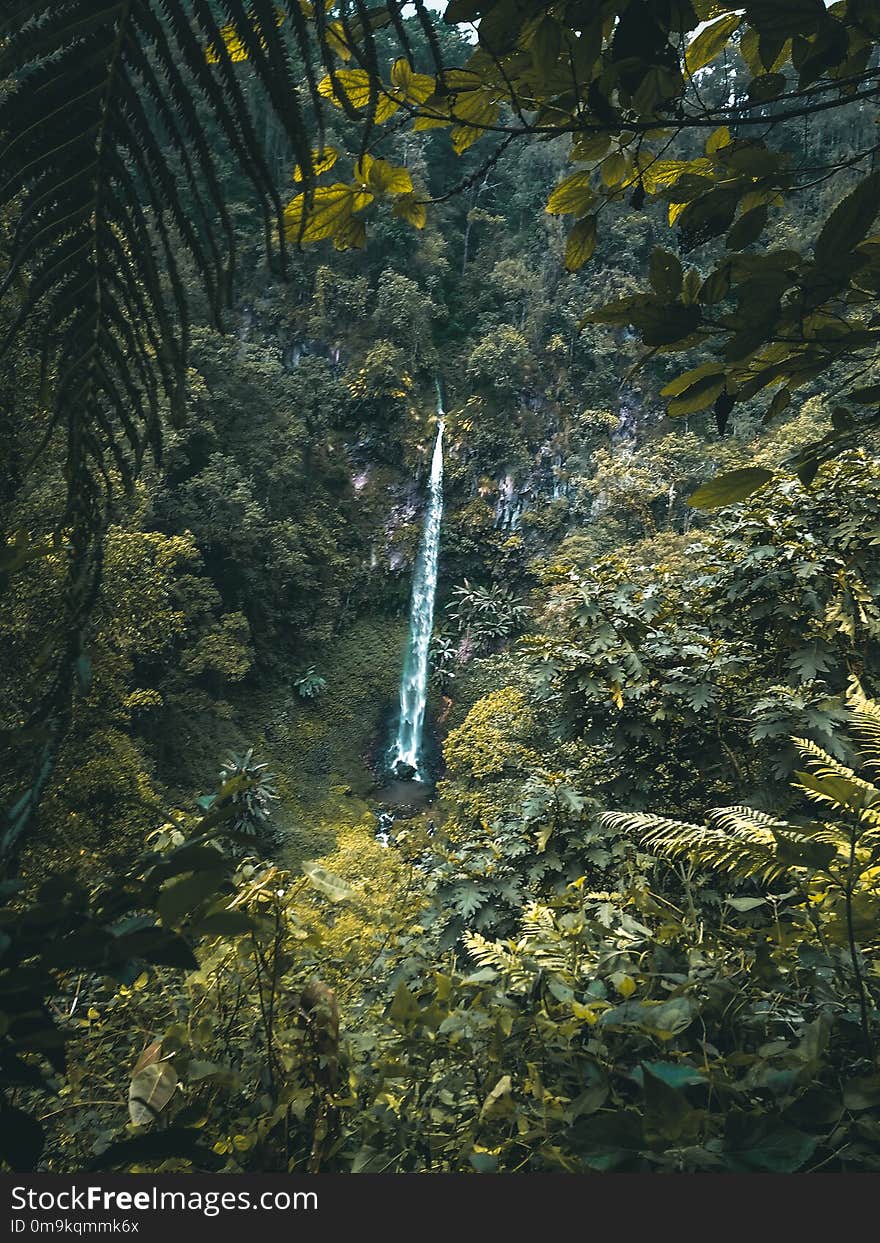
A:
[117,119]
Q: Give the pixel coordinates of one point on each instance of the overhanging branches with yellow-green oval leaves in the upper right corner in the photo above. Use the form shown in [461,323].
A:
[688,106]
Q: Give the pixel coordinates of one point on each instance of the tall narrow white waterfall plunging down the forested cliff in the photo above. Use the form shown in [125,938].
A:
[406,753]
